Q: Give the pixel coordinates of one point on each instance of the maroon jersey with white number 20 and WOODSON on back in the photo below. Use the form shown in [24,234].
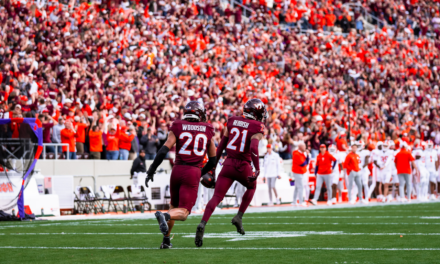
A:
[192,141]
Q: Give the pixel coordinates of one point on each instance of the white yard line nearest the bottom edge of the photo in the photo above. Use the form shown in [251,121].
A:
[224,248]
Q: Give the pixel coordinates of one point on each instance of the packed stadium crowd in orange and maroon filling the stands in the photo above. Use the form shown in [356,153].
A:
[109,78]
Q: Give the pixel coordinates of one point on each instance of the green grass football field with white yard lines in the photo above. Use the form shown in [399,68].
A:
[373,234]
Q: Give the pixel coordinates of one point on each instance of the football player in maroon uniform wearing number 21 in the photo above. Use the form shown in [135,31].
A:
[240,139]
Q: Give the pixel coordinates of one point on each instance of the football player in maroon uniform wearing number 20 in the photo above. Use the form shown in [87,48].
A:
[193,139]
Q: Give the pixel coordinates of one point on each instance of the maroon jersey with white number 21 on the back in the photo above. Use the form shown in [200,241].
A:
[241,131]
